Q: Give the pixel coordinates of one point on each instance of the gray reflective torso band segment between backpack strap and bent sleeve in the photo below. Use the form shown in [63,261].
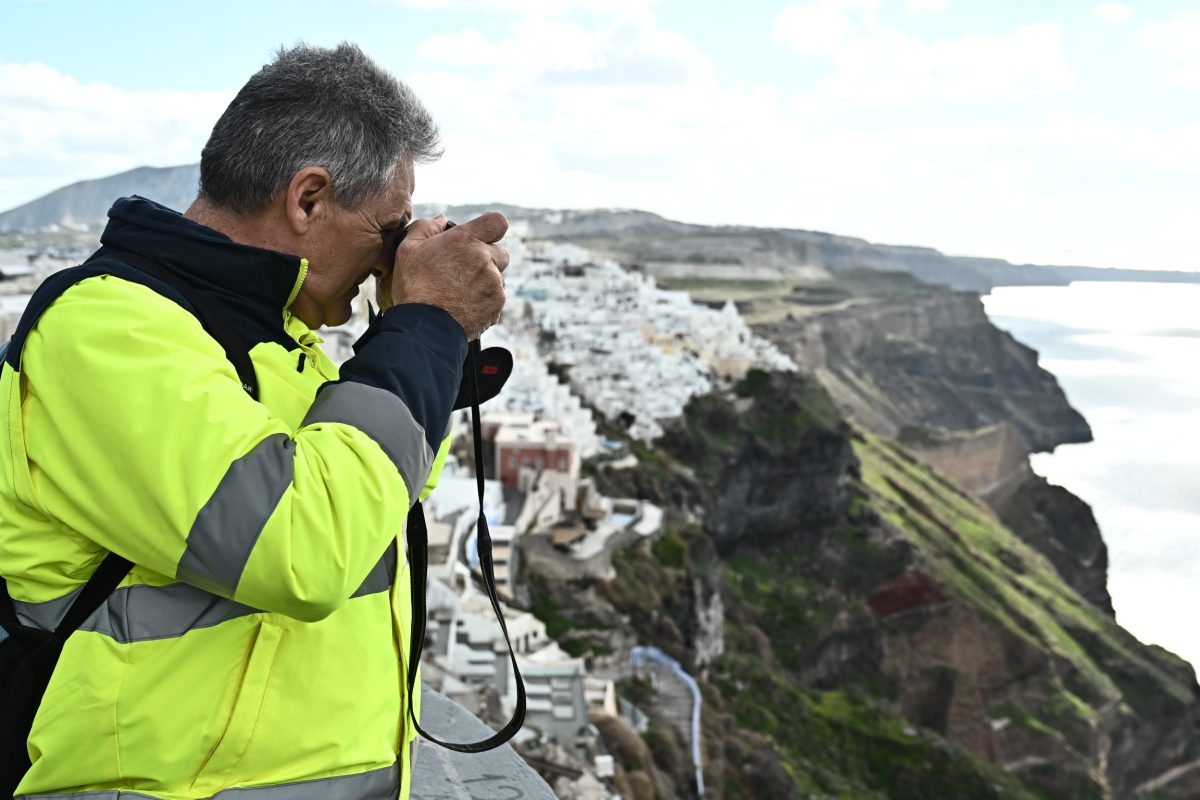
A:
[145,613]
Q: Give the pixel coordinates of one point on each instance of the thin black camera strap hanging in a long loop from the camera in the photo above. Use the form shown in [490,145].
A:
[418,556]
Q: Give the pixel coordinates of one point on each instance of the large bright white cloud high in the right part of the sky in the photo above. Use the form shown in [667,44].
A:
[895,68]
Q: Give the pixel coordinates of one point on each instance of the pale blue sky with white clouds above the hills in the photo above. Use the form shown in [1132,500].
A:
[1040,131]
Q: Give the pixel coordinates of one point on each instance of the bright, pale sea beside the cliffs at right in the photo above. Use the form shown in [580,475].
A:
[1129,358]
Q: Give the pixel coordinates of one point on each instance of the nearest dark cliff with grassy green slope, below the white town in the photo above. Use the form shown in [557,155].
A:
[896,640]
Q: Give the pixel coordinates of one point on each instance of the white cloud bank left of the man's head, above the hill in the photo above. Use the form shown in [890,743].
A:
[56,130]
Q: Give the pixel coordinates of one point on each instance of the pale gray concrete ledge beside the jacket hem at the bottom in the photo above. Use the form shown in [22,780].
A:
[442,774]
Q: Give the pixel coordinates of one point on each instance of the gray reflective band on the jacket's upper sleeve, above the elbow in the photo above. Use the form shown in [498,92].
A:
[229,526]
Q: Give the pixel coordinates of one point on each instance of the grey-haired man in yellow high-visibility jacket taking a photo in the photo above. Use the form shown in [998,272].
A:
[257,649]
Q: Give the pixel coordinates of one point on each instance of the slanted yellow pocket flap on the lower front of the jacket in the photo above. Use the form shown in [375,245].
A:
[248,706]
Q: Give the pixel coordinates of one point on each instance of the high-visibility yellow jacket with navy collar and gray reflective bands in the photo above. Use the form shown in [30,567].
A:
[257,649]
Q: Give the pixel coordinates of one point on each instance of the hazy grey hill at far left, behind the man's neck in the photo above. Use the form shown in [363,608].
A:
[88,202]
